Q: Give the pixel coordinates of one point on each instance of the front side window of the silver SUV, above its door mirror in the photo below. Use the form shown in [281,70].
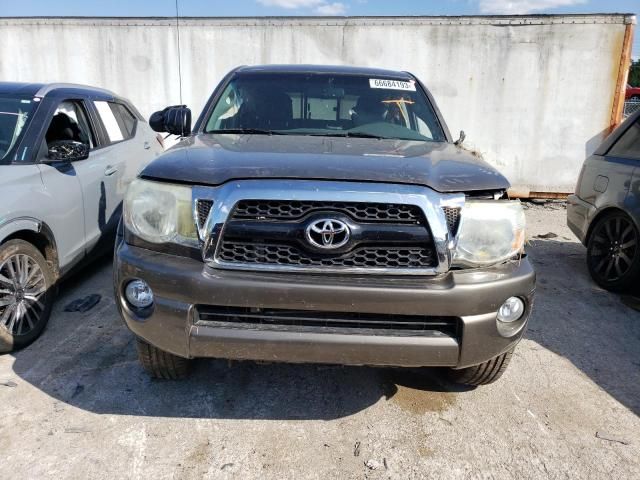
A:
[70,122]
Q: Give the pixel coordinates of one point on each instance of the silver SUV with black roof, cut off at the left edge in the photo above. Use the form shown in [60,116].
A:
[67,155]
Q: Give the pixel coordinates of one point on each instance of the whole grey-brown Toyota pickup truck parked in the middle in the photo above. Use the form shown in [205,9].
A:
[322,214]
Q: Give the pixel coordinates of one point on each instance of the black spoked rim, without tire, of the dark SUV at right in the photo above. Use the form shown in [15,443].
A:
[613,248]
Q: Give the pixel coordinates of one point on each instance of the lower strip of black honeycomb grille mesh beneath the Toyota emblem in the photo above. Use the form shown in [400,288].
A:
[365,257]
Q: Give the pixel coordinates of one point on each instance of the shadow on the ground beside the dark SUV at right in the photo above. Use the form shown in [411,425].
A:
[589,326]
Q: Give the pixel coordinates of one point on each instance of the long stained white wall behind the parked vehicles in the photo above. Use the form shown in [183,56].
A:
[534,94]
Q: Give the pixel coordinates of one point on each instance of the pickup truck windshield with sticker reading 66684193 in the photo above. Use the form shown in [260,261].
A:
[325,105]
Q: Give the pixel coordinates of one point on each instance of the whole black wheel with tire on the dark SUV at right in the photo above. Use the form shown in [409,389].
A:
[613,256]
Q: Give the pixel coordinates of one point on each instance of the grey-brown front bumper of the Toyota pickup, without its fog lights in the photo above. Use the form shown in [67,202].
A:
[180,284]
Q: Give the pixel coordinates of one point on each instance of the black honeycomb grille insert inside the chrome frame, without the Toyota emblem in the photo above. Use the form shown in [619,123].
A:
[274,233]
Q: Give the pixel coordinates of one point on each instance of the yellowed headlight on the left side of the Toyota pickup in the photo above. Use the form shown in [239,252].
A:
[159,212]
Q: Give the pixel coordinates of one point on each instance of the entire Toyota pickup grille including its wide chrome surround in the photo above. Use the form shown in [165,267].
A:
[321,226]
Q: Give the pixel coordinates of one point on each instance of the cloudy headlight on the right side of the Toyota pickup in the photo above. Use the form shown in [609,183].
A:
[490,232]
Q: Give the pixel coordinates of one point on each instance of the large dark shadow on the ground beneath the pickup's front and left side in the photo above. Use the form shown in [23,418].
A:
[88,360]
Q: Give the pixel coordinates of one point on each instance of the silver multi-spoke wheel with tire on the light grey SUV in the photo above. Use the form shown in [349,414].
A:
[27,291]
